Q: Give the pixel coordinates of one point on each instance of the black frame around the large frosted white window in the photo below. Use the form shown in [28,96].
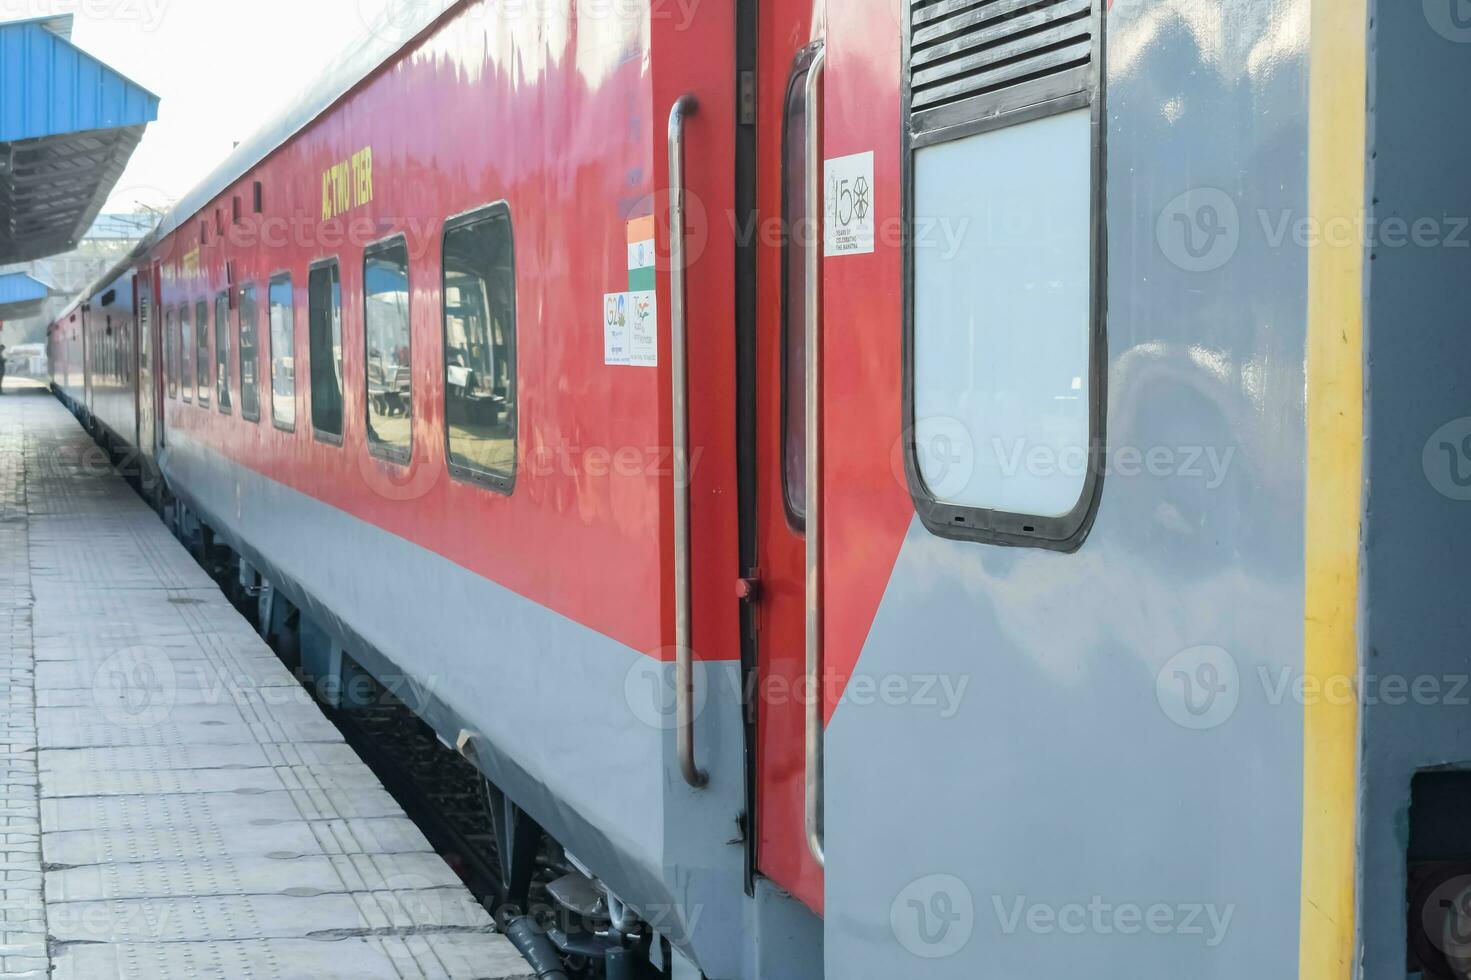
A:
[972,118]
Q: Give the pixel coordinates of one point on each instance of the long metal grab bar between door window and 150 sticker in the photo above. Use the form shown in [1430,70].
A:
[814,492]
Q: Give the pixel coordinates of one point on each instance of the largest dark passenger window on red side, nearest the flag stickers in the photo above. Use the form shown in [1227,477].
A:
[480,348]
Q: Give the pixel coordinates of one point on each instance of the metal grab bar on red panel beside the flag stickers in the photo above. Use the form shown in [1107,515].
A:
[685,108]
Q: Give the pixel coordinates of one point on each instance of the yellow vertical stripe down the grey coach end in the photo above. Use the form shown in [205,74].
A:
[1336,192]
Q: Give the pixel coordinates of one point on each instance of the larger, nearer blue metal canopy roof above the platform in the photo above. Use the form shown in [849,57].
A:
[68,127]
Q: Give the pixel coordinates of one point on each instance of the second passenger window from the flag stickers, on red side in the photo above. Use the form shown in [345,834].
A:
[386,322]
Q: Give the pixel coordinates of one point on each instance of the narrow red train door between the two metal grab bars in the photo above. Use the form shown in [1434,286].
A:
[788,716]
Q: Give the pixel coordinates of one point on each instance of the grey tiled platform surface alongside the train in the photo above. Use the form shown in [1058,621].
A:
[171,801]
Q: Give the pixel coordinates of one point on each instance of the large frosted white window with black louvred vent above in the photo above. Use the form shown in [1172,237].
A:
[1004,327]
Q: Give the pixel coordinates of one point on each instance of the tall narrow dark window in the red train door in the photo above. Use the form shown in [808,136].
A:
[797,245]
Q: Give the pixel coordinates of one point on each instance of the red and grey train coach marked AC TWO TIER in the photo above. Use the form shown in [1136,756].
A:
[888,489]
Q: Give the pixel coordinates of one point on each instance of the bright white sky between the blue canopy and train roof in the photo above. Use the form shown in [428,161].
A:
[221,70]
